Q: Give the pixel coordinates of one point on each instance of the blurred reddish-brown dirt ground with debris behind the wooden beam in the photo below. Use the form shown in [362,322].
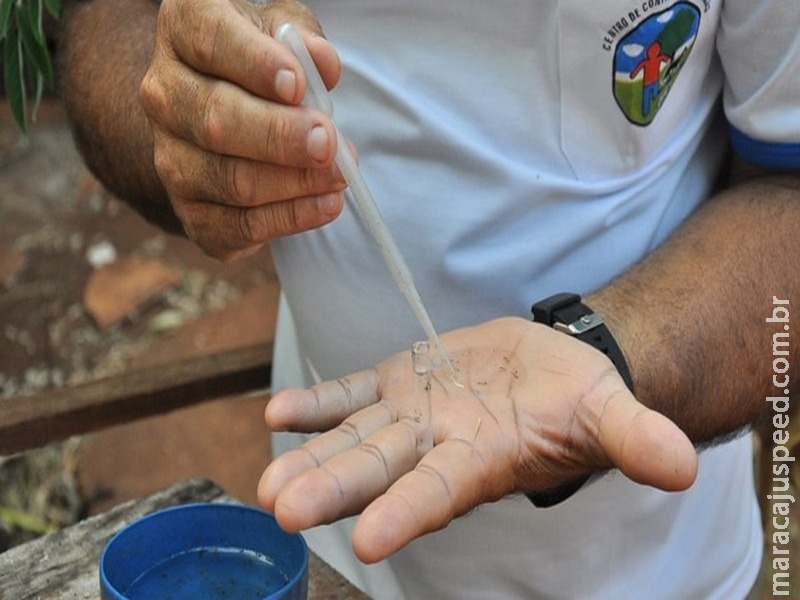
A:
[58,230]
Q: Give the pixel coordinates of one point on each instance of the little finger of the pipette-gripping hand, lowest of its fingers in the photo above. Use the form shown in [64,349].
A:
[229,232]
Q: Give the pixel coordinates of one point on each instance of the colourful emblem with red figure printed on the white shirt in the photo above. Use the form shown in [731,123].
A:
[649,59]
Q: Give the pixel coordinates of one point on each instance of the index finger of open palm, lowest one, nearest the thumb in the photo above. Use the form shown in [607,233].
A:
[442,487]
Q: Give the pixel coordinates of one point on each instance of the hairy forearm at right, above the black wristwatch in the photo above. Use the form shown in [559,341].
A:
[691,317]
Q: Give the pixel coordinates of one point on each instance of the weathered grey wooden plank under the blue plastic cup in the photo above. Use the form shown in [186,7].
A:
[64,564]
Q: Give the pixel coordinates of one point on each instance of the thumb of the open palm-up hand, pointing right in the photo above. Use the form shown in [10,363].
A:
[645,445]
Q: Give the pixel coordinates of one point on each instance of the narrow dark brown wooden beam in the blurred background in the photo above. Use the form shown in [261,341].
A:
[31,421]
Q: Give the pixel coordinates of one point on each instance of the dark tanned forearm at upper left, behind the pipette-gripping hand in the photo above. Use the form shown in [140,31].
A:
[104,50]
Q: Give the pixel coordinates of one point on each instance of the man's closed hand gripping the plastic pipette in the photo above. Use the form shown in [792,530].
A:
[241,161]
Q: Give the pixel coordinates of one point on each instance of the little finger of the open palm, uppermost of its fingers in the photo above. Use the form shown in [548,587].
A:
[324,405]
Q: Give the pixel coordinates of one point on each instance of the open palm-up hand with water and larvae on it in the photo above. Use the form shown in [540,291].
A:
[530,409]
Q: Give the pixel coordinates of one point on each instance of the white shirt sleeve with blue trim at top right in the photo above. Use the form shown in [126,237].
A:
[759,47]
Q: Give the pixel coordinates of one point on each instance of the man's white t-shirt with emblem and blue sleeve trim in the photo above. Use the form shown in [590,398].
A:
[518,149]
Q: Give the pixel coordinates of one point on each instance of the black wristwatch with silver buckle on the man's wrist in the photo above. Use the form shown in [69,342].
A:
[566,313]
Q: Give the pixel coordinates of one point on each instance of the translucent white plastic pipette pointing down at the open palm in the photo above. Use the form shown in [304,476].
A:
[317,97]
